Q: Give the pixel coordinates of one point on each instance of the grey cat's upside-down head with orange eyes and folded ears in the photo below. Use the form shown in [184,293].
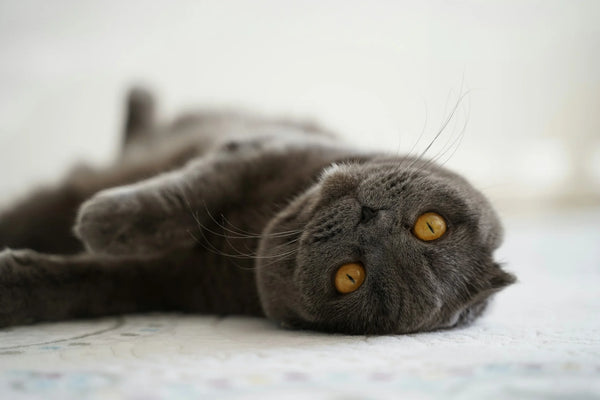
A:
[365,214]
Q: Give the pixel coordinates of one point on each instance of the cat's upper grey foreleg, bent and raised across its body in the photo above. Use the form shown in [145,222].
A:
[161,213]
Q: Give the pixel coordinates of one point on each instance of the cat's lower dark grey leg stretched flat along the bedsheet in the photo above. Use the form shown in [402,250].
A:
[41,287]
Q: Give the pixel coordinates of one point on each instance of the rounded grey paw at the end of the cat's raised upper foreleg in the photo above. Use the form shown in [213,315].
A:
[106,223]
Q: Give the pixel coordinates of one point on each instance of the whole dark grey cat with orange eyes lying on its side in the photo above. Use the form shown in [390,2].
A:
[231,213]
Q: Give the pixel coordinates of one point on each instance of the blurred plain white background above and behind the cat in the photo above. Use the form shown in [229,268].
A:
[385,74]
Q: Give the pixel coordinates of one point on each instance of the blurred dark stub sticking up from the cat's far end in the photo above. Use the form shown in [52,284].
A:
[140,114]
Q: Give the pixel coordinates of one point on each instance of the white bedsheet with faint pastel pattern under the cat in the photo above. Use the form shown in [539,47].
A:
[541,339]
